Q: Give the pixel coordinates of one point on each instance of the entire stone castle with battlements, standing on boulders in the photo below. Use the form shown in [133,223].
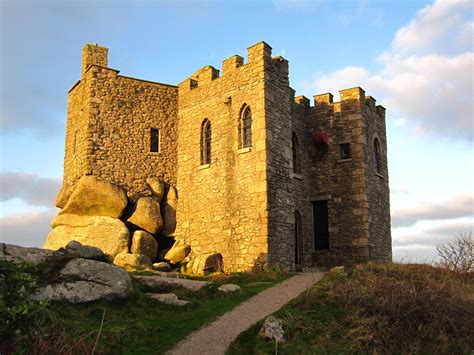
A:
[262,177]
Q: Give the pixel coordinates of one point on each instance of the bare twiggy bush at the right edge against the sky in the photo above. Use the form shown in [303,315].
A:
[458,255]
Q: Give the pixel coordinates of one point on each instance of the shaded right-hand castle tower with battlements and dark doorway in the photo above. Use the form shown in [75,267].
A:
[342,190]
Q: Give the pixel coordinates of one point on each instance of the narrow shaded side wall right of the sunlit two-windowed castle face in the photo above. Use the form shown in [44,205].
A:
[281,197]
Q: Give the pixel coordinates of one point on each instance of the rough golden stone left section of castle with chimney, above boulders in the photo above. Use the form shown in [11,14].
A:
[113,116]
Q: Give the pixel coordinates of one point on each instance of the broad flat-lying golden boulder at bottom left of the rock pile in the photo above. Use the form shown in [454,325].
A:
[106,233]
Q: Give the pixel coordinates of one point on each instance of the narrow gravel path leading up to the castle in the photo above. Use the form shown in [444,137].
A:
[216,337]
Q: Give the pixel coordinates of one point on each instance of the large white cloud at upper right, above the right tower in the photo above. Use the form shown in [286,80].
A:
[426,76]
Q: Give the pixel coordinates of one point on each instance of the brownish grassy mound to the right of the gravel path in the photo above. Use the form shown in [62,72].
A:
[373,309]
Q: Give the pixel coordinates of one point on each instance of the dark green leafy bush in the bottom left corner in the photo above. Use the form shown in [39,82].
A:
[20,316]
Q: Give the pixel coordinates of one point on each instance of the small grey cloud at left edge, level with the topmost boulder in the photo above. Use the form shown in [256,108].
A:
[30,188]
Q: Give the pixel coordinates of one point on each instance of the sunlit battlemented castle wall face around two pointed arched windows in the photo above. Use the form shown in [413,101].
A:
[223,206]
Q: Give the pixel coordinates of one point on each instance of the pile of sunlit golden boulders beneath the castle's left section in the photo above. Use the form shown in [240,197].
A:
[98,213]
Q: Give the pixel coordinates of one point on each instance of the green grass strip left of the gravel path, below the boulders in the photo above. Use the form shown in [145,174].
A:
[142,325]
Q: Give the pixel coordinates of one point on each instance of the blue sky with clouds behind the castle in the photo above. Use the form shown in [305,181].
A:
[415,57]
